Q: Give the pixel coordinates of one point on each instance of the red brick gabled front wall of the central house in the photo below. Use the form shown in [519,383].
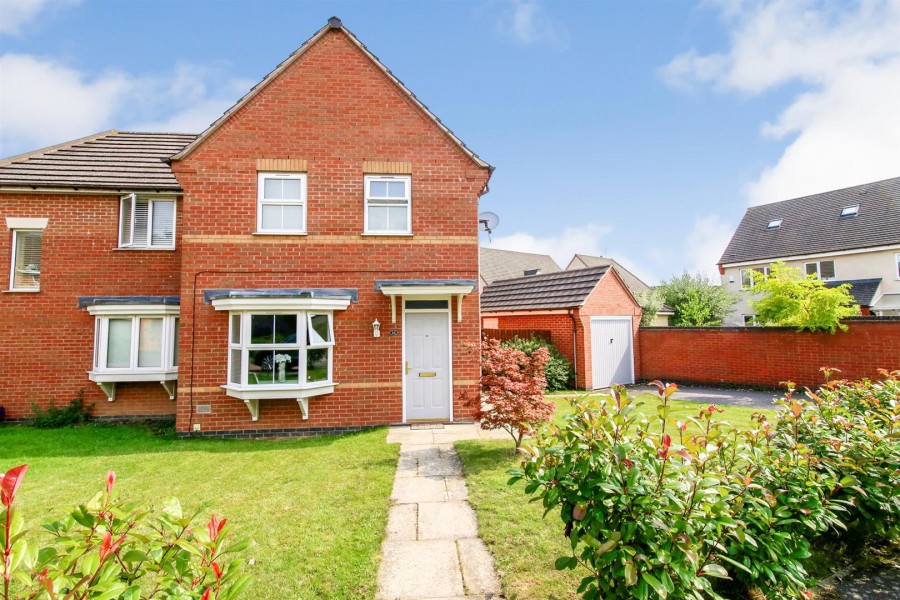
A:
[334,110]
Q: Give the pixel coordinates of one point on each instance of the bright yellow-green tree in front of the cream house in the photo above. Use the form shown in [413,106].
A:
[792,299]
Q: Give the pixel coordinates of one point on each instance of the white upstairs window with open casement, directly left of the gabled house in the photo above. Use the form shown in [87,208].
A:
[147,223]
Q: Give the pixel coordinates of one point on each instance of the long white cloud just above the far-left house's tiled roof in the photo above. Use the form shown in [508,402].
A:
[44,101]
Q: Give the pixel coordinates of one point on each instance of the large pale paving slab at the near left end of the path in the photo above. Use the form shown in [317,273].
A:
[419,569]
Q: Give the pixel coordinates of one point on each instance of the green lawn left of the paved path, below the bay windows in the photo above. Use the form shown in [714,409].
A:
[315,509]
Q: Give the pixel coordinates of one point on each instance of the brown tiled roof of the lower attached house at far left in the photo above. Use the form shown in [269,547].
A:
[111,160]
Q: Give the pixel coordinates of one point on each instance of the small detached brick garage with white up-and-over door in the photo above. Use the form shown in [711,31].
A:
[592,315]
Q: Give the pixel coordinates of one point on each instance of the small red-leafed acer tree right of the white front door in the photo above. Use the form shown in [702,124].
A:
[512,390]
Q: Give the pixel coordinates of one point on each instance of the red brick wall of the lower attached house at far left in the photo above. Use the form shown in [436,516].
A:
[46,342]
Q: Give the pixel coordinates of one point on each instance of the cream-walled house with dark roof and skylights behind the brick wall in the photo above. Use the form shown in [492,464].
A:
[849,236]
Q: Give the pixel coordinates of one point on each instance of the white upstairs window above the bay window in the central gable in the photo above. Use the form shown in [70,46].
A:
[281,203]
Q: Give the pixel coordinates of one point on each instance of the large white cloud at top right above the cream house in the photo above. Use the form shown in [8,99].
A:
[846,63]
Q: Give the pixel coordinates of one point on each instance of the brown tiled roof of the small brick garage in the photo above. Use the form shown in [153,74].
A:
[565,289]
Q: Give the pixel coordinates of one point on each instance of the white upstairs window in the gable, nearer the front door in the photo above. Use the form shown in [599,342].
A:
[388,204]
